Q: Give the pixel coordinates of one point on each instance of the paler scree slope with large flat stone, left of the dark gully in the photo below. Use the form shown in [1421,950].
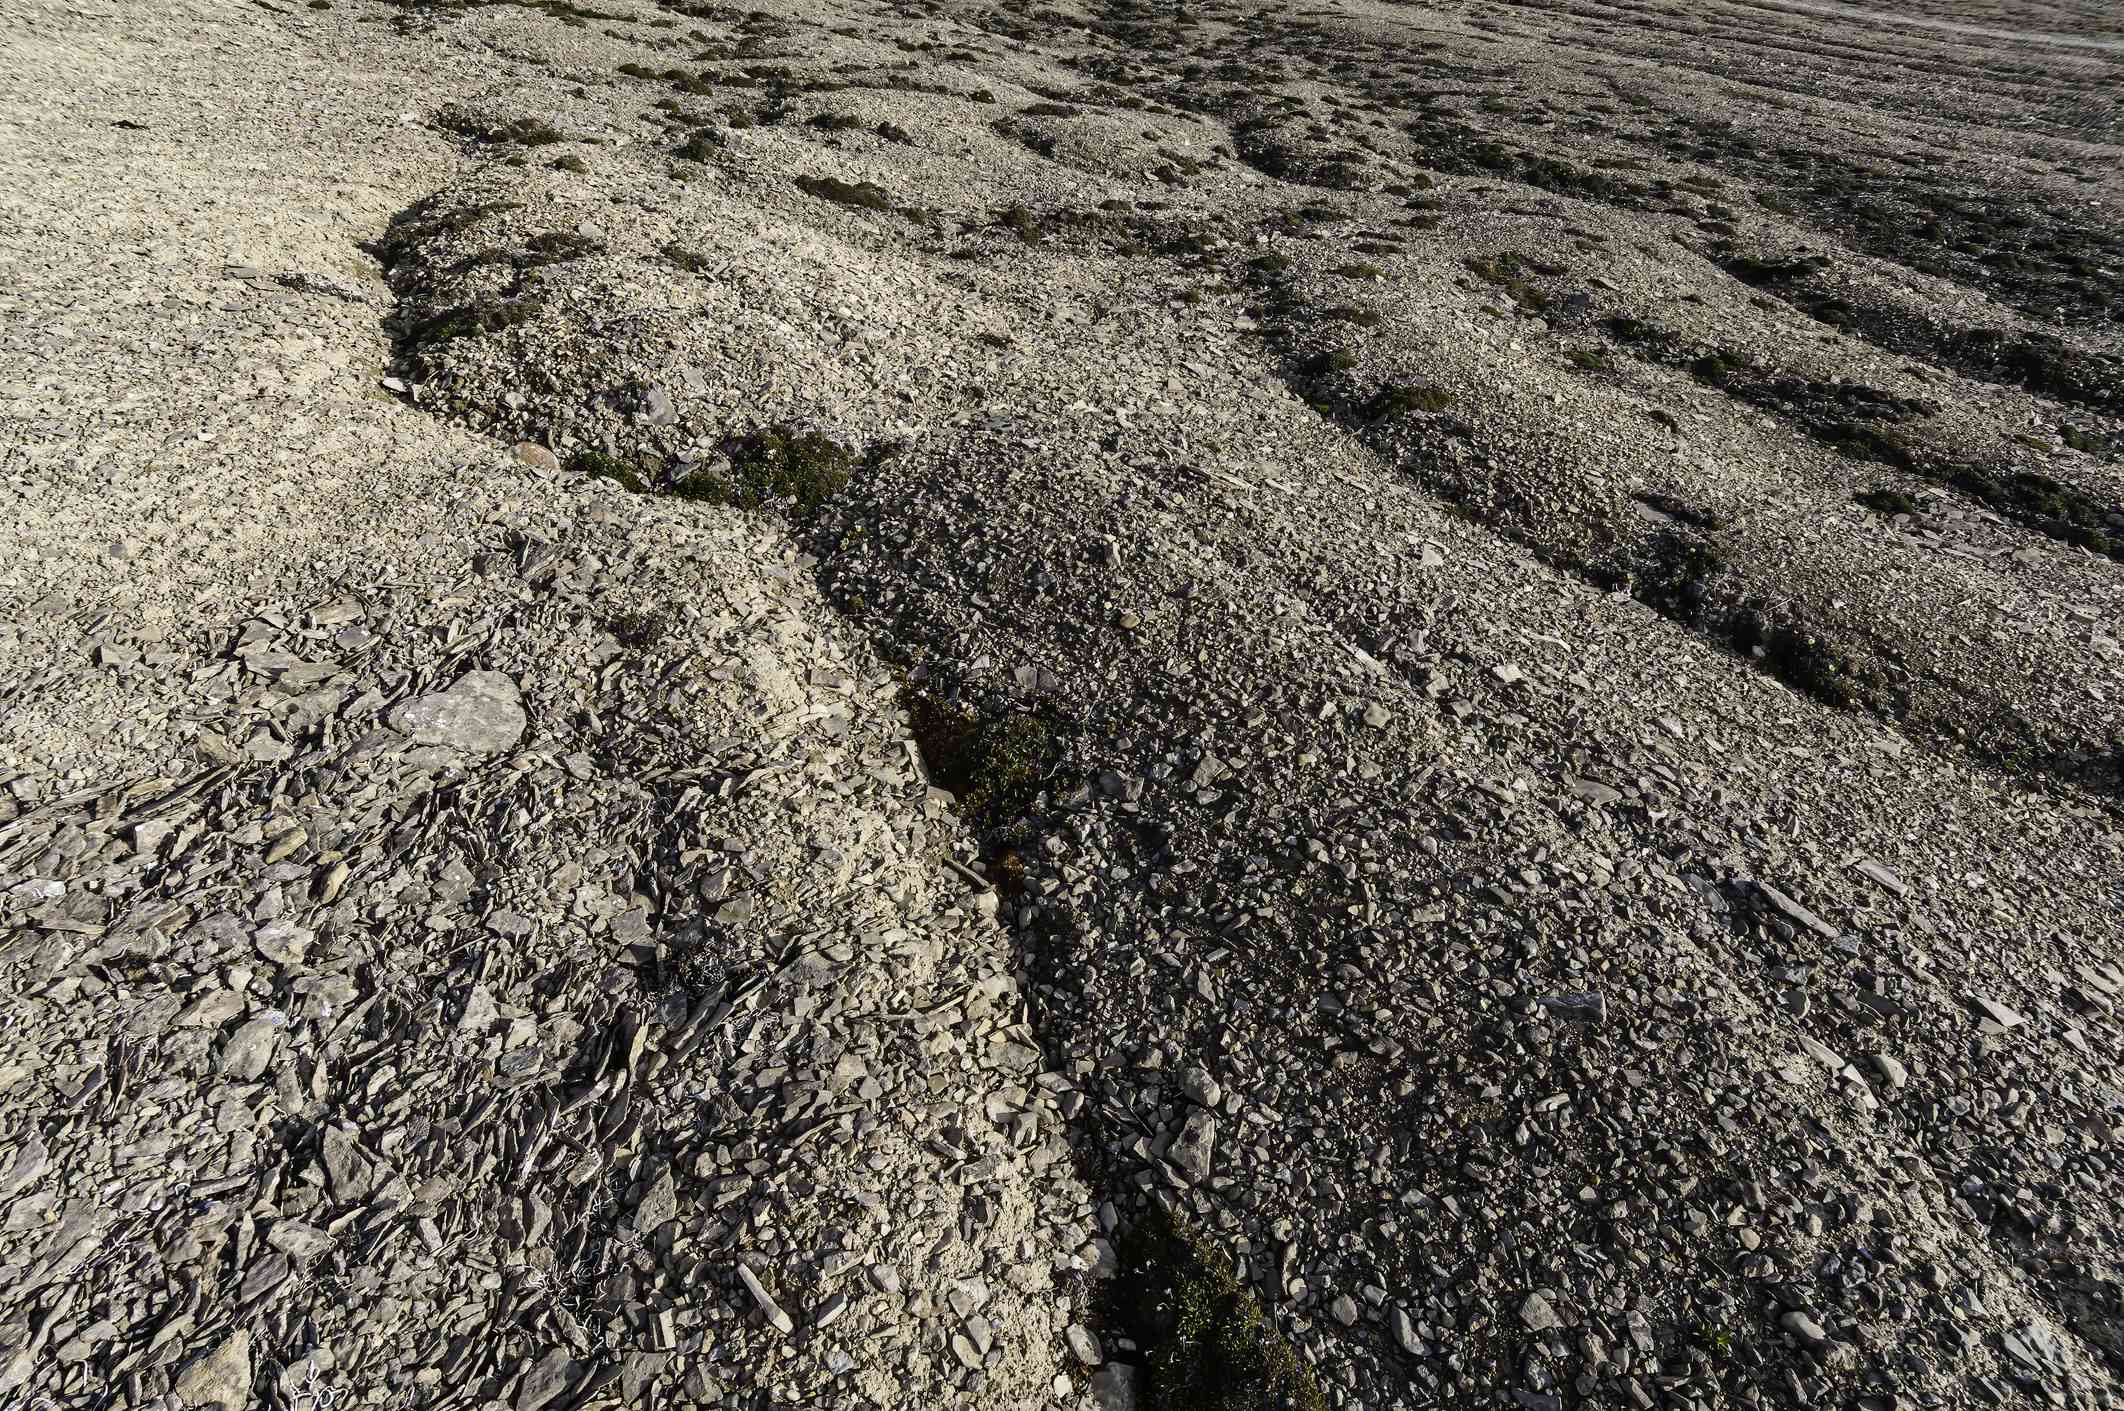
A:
[470,936]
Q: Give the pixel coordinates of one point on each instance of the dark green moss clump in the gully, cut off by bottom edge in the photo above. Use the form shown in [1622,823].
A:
[1210,1344]
